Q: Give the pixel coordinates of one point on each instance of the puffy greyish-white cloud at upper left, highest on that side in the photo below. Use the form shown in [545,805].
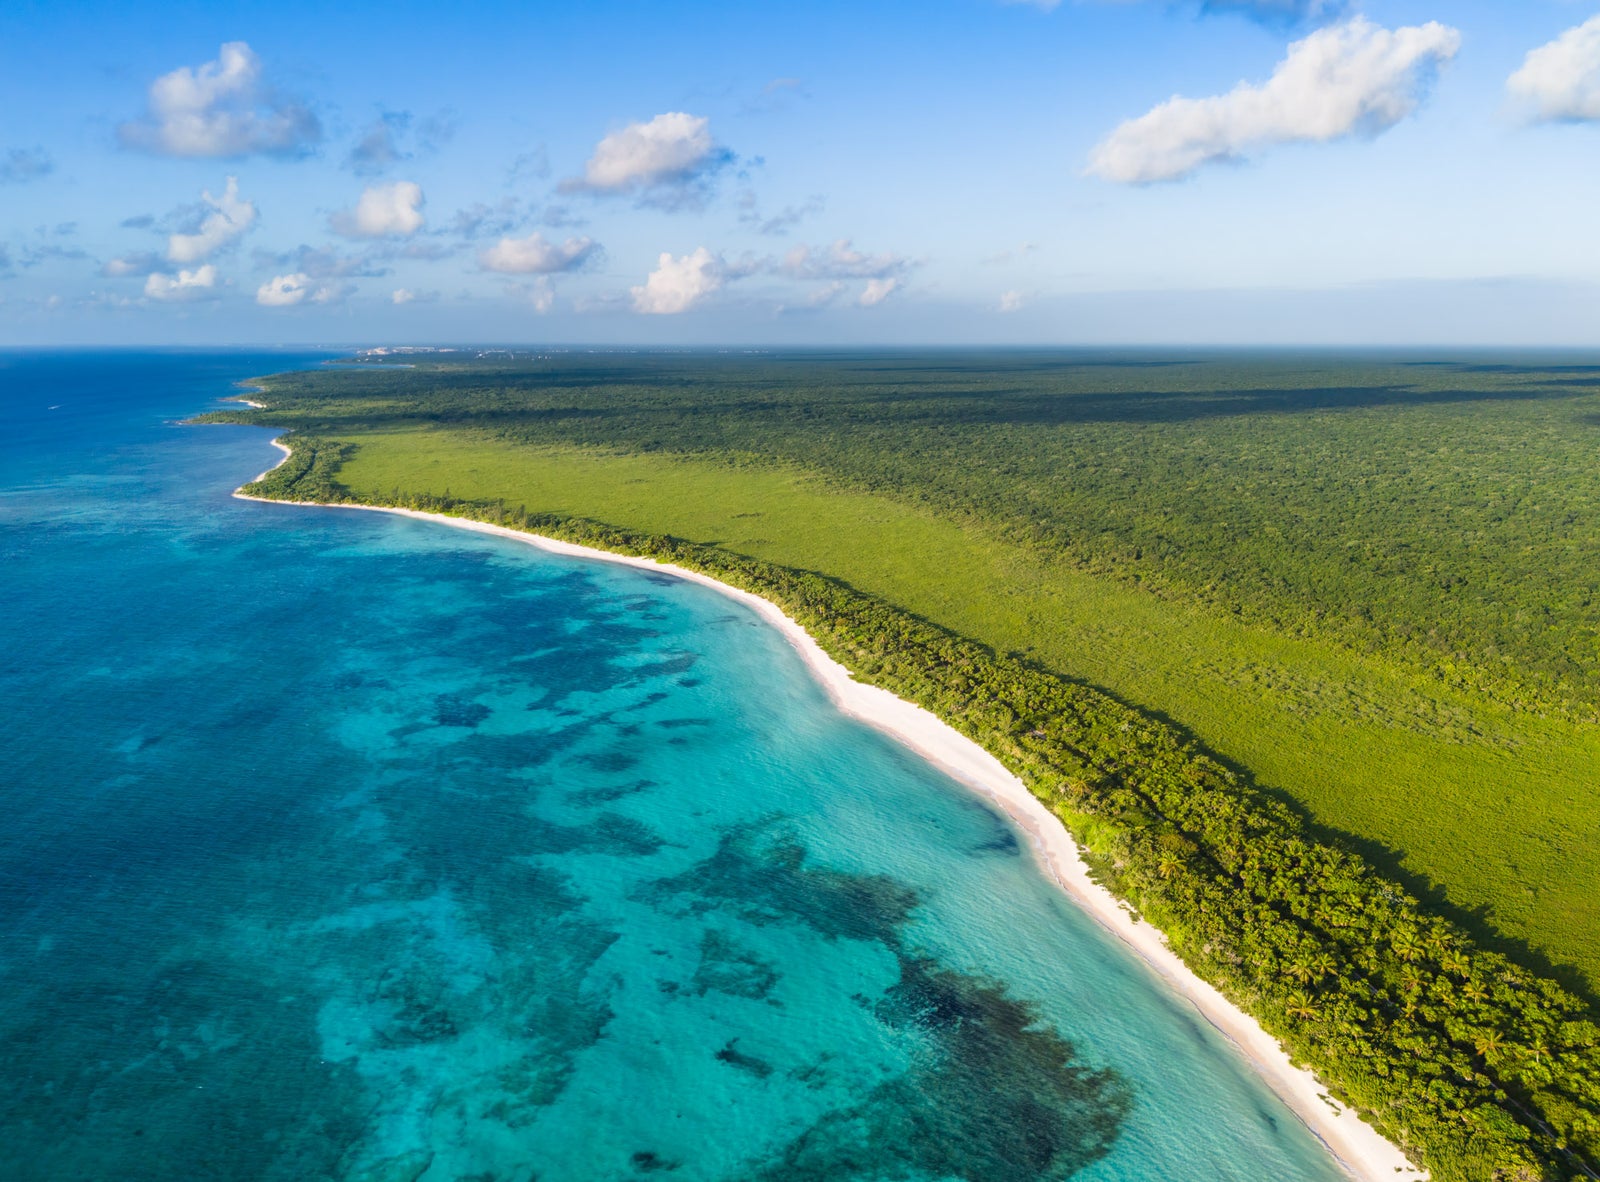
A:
[222,110]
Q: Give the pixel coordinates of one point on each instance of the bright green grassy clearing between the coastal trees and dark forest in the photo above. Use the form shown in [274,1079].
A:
[1490,805]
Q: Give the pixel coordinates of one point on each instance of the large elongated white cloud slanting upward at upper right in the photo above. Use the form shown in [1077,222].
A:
[1351,79]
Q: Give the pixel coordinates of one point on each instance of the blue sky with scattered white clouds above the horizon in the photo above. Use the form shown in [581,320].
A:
[974,172]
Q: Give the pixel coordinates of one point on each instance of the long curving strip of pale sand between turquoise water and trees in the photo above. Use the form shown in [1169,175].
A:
[1354,1144]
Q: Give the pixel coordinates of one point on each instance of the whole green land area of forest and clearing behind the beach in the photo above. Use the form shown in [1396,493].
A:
[1305,649]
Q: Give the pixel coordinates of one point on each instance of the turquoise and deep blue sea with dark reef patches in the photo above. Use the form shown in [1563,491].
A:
[348,847]
